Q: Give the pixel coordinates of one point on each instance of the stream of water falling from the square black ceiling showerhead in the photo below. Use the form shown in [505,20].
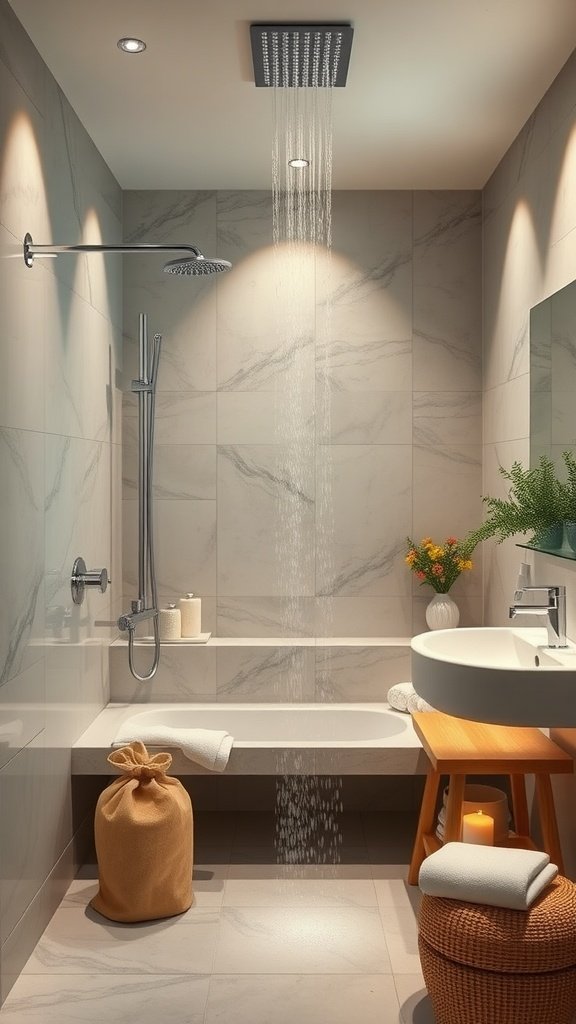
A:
[308,805]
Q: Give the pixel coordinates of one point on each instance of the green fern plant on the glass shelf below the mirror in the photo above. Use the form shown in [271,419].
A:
[538,501]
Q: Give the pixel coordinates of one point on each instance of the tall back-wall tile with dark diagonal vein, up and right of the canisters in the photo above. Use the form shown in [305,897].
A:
[256,485]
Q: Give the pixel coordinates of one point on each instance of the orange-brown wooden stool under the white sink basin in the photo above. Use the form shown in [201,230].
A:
[459,748]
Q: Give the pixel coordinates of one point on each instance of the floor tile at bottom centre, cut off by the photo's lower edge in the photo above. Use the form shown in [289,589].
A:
[308,1000]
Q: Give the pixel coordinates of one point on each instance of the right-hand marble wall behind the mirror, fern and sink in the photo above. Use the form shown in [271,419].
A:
[529,253]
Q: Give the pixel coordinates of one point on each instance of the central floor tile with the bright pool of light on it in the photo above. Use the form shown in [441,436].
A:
[301,941]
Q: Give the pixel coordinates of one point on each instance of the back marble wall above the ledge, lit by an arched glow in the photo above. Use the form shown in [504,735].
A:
[400,452]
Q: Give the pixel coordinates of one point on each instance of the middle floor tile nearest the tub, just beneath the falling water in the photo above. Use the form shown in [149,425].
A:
[300,885]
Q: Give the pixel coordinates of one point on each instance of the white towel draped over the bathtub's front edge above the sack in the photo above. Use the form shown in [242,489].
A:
[210,748]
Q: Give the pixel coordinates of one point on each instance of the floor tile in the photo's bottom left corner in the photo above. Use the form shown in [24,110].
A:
[94,999]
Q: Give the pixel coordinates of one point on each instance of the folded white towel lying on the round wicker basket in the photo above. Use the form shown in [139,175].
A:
[497,876]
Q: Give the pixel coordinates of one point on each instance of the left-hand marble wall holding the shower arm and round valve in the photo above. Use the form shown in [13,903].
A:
[60,474]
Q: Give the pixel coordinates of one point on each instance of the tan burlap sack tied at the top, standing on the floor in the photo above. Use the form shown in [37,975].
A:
[144,836]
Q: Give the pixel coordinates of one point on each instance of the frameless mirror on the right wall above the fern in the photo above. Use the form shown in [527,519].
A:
[553,381]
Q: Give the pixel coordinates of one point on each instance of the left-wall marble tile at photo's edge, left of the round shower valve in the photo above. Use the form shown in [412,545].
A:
[22,550]
